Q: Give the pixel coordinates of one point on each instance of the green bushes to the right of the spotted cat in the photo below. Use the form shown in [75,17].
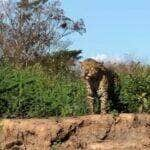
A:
[133,90]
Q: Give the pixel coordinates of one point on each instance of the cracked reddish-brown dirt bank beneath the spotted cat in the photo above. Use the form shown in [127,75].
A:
[93,132]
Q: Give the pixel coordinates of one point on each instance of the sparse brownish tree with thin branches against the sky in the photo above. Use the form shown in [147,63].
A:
[36,28]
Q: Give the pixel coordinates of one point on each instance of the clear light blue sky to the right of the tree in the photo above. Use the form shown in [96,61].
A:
[114,27]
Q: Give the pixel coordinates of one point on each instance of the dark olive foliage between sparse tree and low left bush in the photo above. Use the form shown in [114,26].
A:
[58,62]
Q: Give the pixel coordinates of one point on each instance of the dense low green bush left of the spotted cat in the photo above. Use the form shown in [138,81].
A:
[30,92]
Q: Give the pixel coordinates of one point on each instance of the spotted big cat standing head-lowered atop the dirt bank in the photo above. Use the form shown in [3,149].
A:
[97,83]
